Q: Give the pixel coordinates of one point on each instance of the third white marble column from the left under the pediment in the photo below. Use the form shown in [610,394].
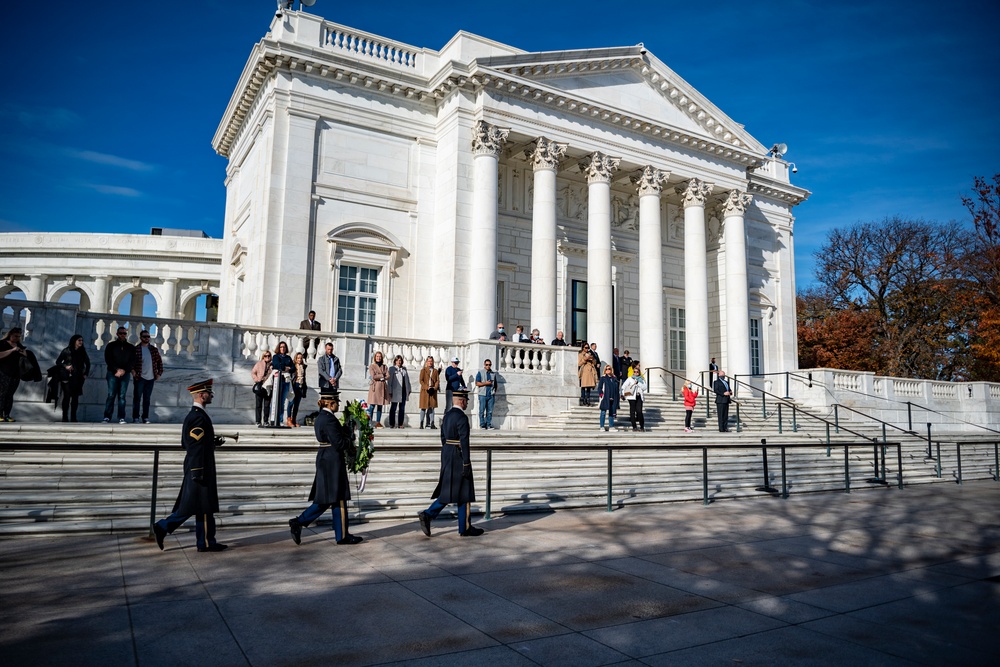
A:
[600,296]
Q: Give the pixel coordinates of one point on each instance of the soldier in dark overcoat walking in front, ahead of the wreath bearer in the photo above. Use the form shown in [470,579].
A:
[455,484]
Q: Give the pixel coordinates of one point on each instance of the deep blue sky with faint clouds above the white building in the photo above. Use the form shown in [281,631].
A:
[888,108]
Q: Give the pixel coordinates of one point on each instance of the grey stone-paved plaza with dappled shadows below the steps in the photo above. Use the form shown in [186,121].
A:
[879,576]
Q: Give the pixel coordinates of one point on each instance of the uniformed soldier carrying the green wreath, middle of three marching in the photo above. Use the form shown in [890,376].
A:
[330,487]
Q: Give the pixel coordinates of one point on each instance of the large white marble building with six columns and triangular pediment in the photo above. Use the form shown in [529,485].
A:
[405,192]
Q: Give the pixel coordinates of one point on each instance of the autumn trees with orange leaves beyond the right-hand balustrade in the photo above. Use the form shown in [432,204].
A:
[909,298]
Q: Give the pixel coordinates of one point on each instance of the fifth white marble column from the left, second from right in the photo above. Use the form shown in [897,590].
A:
[696,278]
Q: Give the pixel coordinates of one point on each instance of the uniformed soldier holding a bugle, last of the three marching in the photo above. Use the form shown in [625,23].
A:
[199,495]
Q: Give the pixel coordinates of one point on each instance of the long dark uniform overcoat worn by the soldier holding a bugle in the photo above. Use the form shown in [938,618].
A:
[199,491]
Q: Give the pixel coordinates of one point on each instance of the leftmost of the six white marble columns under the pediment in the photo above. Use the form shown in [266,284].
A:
[487,141]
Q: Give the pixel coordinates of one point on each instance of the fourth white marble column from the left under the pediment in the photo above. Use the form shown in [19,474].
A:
[649,184]
